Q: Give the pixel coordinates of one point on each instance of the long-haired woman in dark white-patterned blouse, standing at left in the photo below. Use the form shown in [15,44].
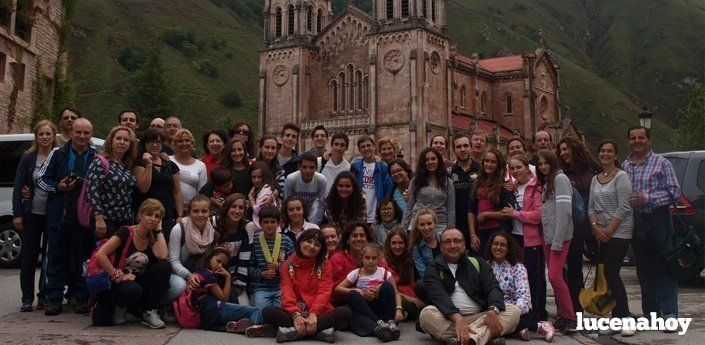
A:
[110,182]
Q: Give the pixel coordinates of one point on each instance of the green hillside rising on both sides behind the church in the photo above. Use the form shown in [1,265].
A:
[615,55]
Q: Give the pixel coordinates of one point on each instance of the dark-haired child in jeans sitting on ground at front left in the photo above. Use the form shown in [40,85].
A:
[211,299]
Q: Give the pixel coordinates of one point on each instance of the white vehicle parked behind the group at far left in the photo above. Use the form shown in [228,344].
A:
[12,147]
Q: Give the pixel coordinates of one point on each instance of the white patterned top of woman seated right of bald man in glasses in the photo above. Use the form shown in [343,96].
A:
[514,282]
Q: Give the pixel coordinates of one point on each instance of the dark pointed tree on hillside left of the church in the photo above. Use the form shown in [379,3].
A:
[148,88]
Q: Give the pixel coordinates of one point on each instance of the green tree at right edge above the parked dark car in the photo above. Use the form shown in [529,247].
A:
[690,128]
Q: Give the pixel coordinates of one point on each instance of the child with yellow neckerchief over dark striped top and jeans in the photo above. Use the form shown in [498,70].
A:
[269,250]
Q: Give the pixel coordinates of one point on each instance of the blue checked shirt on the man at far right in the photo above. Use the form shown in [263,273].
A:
[654,177]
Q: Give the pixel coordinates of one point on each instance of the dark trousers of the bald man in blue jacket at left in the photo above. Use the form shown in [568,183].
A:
[67,248]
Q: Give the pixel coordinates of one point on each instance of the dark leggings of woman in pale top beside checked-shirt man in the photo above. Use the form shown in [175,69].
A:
[612,257]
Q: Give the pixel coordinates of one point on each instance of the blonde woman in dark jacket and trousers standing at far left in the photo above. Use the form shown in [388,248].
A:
[28,208]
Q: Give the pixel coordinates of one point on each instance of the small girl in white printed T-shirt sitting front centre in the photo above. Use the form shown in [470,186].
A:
[372,293]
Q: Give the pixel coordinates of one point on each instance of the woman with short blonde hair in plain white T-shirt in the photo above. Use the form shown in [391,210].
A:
[193,173]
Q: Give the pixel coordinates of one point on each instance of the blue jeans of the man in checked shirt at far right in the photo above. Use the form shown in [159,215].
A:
[659,289]
